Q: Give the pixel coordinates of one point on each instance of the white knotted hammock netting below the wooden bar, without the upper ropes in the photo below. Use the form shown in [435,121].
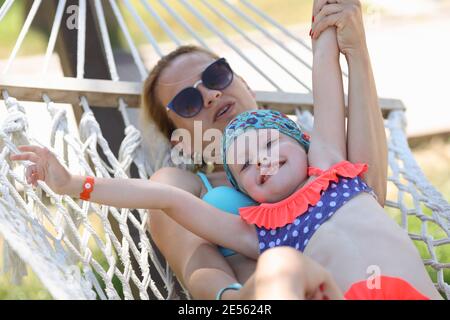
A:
[72,247]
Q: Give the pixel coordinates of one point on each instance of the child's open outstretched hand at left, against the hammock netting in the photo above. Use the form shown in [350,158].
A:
[45,167]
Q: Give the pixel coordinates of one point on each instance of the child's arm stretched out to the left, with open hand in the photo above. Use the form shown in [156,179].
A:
[194,214]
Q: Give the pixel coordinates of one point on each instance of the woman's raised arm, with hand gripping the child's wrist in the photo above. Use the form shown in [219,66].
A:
[366,137]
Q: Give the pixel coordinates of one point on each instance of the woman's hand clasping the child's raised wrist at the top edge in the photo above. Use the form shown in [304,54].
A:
[346,16]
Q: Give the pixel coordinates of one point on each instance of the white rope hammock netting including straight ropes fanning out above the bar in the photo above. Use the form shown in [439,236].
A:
[82,250]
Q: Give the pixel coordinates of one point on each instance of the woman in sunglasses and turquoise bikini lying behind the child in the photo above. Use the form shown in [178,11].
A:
[198,264]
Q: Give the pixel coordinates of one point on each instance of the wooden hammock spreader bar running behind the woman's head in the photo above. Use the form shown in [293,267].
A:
[106,93]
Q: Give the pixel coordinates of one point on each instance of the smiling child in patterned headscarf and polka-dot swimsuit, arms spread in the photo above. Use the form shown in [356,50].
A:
[325,210]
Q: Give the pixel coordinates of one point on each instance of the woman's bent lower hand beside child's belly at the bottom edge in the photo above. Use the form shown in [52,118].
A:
[284,273]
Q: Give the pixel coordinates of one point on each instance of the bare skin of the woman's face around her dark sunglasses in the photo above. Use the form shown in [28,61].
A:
[188,68]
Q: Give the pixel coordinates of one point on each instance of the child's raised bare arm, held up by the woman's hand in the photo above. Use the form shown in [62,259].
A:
[328,144]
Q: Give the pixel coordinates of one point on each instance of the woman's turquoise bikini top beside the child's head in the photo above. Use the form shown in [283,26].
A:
[226,199]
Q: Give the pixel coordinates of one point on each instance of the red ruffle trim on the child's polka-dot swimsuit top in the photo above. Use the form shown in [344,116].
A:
[275,215]
